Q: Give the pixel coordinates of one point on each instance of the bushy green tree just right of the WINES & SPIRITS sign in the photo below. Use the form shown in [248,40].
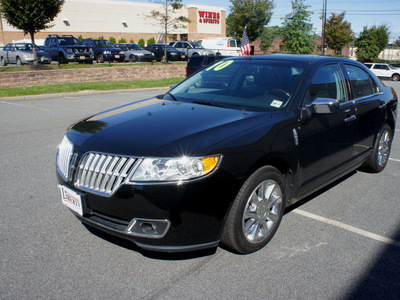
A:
[255,14]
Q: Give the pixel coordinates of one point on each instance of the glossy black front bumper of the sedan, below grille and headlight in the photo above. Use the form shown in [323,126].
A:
[185,217]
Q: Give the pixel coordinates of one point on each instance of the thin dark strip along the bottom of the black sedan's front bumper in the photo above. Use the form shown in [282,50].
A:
[150,254]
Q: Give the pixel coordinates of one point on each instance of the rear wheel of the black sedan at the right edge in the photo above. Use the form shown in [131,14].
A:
[381,152]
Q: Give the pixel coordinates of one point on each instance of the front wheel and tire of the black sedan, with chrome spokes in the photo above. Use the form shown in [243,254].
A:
[256,212]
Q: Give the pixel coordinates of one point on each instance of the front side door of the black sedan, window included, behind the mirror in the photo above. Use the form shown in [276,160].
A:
[326,141]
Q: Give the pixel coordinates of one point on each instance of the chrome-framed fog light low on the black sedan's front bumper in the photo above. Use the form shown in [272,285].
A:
[150,228]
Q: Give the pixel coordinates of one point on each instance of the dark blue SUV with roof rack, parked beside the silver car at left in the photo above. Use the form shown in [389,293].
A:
[67,48]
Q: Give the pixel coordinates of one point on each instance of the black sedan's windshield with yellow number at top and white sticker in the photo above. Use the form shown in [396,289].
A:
[254,85]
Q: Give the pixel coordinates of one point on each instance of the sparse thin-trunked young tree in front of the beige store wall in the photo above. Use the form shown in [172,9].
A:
[167,18]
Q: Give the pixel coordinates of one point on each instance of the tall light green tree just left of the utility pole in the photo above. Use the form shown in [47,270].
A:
[297,29]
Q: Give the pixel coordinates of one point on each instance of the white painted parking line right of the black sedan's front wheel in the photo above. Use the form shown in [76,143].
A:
[348,228]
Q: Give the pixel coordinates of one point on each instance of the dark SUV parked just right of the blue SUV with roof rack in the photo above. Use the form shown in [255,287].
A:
[104,50]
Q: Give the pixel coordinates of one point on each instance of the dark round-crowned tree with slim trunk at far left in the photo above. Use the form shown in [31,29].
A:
[31,16]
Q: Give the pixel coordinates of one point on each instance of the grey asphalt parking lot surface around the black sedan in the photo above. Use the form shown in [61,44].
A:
[343,243]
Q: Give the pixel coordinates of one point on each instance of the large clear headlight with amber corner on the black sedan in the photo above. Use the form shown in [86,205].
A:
[174,169]
